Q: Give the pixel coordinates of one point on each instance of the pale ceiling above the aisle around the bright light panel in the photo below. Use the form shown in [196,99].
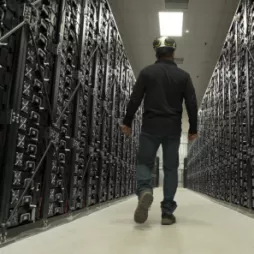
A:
[208,22]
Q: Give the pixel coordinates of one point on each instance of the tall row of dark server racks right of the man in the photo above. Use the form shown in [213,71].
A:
[221,160]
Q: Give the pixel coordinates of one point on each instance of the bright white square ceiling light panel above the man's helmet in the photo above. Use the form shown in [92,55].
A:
[171,23]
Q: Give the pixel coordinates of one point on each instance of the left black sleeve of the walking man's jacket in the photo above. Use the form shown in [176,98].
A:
[135,100]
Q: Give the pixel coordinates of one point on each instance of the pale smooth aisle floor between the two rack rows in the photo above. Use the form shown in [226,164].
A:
[203,227]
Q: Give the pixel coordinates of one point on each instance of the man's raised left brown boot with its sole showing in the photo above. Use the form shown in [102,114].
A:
[145,201]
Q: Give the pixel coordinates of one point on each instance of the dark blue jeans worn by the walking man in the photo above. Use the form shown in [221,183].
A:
[148,147]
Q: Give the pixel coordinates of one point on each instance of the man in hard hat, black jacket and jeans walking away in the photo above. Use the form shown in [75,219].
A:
[163,86]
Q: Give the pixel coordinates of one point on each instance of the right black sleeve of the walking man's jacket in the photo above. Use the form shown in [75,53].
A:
[191,105]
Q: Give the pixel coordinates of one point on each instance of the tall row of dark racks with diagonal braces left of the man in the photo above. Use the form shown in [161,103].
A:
[65,81]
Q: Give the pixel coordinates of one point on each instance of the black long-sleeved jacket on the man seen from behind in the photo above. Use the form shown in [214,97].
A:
[163,86]
